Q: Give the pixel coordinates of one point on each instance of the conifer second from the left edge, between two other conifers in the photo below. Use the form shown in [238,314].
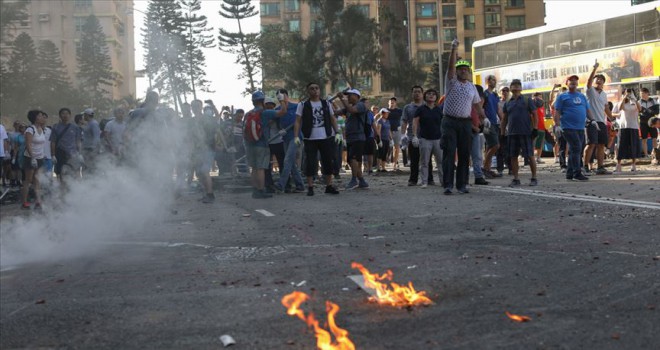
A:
[54,88]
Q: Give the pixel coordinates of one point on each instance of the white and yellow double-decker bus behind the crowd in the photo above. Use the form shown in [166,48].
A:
[626,45]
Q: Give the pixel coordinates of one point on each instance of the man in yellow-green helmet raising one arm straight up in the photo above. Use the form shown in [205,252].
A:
[461,97]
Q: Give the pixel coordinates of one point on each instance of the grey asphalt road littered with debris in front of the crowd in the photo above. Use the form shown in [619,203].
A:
[580,259]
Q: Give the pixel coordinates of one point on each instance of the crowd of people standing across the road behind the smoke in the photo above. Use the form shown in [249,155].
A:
[486,128]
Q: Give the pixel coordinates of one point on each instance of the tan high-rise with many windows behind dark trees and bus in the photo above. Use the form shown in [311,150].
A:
[430,25]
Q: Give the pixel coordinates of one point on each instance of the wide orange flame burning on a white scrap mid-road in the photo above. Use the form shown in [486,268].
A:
[392,294]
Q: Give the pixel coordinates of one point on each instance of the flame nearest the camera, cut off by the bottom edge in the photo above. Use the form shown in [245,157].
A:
[323,338]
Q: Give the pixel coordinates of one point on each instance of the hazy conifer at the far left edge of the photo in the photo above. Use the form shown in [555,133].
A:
[22,76]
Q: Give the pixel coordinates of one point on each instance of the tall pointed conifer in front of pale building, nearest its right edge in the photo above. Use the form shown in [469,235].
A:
[94,65]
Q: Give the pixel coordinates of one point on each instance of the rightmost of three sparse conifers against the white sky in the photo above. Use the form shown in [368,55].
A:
[243,45]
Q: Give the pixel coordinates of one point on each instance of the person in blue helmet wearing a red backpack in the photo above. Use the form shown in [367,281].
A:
[258,153]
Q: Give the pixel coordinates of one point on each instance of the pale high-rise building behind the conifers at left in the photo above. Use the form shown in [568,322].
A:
[61,22]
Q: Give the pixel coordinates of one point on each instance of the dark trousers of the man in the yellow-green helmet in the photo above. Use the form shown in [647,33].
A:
[456,139]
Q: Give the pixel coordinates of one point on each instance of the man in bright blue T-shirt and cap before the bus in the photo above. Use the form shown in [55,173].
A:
[571,111]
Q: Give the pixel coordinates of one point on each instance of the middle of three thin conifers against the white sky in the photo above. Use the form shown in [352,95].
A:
[197,37]
